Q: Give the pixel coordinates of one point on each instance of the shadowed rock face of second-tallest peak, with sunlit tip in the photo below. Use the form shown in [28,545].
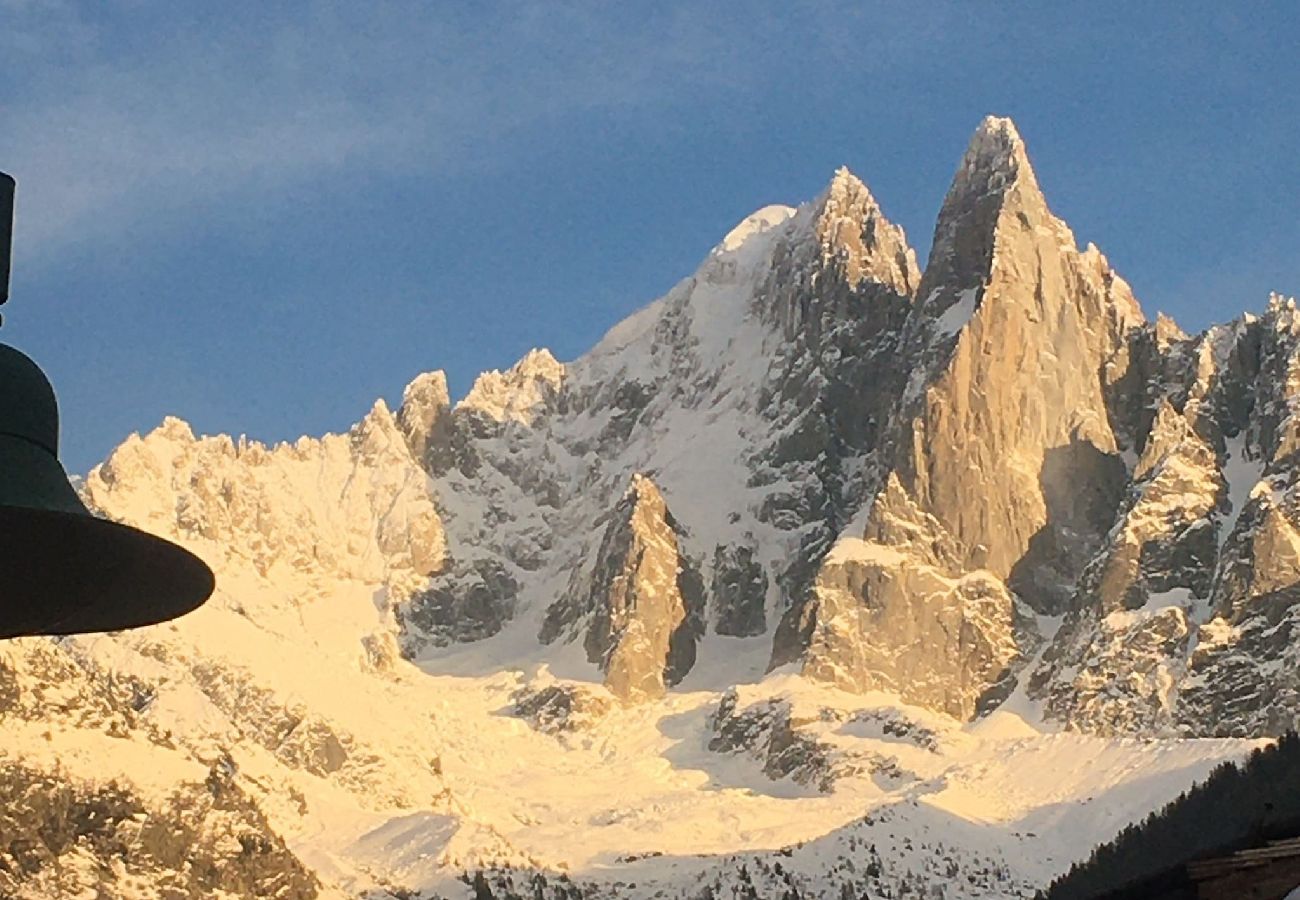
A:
[838,293]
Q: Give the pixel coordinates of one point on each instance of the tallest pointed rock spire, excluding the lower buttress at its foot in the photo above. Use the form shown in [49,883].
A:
[1038,322]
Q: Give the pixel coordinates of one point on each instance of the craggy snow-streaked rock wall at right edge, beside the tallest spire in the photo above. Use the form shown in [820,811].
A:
[1184,620]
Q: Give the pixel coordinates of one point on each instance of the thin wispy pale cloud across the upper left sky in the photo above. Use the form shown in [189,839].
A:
[137,110]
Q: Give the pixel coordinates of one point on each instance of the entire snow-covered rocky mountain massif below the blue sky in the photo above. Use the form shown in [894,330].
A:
[821,574]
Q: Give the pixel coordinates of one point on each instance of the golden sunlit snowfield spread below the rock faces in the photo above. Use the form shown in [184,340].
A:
[444,777]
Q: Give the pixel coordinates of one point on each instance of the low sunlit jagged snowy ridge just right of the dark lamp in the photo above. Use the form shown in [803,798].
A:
[291,508]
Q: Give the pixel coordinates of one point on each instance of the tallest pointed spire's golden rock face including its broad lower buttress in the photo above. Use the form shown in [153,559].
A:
[1000,473]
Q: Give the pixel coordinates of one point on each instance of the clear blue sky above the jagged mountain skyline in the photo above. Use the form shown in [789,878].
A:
[262,217]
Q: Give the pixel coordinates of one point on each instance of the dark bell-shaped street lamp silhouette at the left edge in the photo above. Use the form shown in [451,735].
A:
[63,570]
